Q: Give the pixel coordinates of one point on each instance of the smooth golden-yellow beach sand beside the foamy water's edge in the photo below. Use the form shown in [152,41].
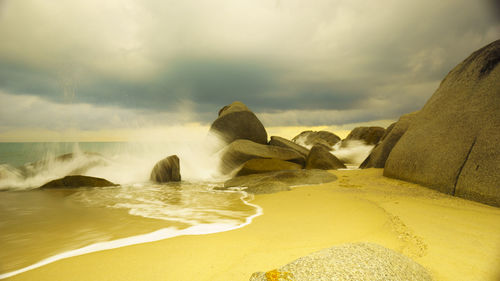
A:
[453,238]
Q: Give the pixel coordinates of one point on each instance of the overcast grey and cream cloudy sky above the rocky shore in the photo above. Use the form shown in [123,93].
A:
[122,65]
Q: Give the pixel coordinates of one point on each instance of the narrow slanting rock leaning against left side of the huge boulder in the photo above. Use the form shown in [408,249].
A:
[381,151]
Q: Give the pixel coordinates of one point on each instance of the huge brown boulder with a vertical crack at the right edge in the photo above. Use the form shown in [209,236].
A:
[452,145]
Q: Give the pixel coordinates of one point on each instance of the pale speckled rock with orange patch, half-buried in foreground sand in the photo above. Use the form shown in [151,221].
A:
[353,261]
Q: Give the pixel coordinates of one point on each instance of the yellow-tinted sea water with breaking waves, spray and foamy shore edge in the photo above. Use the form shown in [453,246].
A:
[42,226]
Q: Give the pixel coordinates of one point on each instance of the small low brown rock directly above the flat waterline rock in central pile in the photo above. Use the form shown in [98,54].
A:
[257,166]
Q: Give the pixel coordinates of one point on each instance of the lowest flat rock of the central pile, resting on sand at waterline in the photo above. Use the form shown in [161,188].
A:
[281,180]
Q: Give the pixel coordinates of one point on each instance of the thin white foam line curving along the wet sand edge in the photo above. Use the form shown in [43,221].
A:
[199,229]
